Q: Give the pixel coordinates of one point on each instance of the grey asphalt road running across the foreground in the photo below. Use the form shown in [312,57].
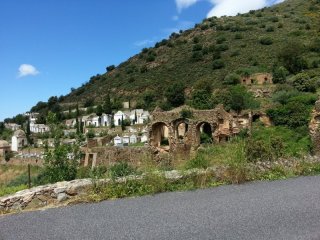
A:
[262,210]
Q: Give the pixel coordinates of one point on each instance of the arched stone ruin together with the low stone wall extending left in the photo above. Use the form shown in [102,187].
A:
[172,136]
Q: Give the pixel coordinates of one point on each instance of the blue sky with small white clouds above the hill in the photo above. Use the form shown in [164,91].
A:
[47,47]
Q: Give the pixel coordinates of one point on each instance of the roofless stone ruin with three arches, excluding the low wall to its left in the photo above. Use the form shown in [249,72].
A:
[171,133]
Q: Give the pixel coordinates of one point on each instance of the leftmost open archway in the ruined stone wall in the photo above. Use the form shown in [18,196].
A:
[160,135]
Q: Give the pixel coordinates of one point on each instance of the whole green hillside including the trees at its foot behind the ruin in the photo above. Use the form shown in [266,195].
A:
[203,66]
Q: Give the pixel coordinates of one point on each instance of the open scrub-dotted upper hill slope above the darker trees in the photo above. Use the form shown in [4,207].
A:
[246,43]
